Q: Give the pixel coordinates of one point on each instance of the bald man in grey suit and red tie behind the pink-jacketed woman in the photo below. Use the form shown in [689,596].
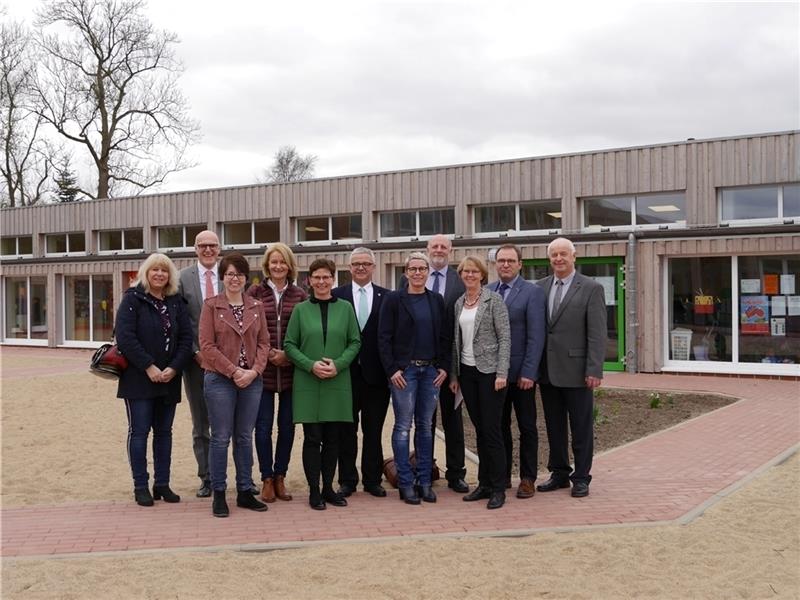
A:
[196,284]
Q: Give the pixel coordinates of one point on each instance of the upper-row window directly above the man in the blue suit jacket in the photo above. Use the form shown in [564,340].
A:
[531,216]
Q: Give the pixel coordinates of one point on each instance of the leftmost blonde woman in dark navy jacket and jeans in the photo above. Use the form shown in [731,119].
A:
[154,333]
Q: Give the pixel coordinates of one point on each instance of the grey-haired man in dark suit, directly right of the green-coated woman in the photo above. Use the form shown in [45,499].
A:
[369,382]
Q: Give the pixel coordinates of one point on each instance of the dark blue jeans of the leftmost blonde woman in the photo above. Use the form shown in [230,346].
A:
[145,414]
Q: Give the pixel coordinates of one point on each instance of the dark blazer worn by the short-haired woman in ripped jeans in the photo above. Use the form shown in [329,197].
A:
[397,331]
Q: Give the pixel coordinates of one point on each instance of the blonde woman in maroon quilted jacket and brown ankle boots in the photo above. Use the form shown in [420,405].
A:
[279,295]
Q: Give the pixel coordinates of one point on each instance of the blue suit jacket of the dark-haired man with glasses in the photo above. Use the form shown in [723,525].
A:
[527,313]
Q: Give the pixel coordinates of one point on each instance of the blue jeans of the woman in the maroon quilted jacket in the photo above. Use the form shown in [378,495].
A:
[283,446]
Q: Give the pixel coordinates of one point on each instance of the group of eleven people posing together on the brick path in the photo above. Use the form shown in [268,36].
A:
[446,338]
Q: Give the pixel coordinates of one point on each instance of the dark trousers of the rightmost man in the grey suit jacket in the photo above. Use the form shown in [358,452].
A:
[573,405]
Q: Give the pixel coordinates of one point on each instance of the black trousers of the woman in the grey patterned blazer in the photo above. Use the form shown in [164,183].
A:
[485,407]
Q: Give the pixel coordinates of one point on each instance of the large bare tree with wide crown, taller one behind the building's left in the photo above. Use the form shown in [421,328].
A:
[111,86]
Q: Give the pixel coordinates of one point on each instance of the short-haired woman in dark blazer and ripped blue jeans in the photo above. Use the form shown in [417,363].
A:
[414,341]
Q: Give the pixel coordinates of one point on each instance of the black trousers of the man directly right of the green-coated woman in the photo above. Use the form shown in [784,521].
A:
[372,402]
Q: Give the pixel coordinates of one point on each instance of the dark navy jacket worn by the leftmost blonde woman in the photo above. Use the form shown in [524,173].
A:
[140,338]
